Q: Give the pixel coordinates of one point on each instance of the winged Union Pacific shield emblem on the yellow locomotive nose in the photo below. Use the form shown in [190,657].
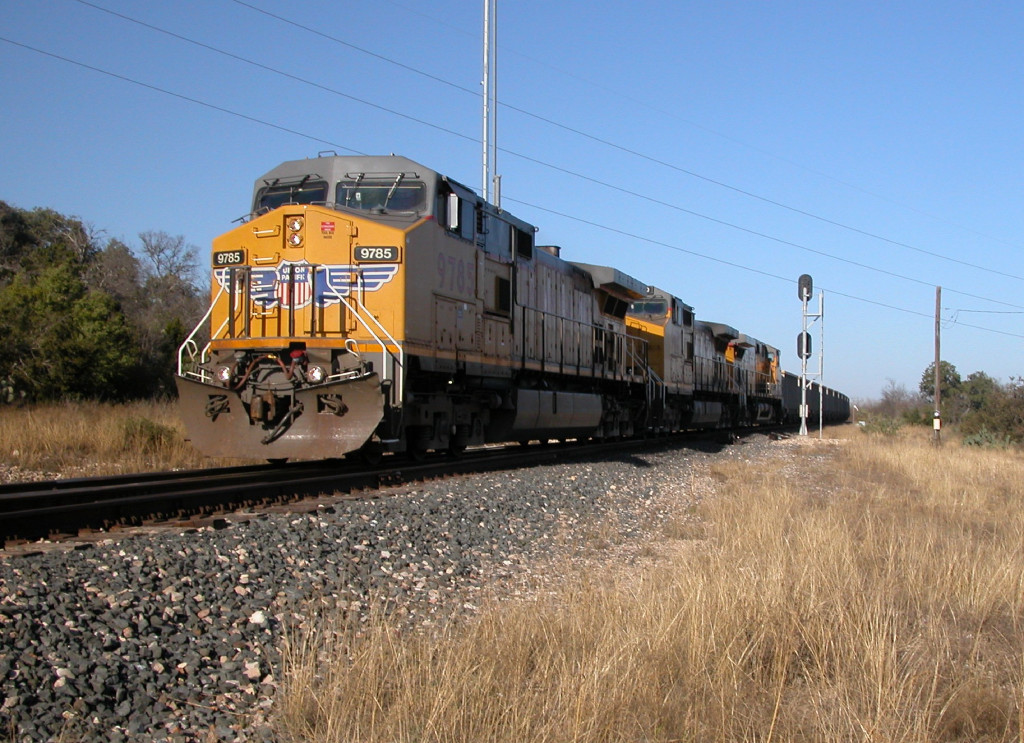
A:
[296,285]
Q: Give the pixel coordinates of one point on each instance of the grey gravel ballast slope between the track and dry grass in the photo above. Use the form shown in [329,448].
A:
[176,636]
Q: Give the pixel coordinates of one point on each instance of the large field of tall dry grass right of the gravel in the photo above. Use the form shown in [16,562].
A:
[875,595]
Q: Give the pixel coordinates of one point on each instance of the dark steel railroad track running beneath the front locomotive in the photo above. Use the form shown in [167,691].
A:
[61,509]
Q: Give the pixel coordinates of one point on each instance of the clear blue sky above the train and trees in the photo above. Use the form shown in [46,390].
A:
[717,150]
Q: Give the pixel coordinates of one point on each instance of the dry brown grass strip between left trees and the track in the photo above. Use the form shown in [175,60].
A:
[88,439]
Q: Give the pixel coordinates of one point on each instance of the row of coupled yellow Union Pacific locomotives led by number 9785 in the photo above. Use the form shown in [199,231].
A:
[371,304]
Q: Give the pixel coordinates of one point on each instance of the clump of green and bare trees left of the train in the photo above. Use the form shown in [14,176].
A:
[80,321]
